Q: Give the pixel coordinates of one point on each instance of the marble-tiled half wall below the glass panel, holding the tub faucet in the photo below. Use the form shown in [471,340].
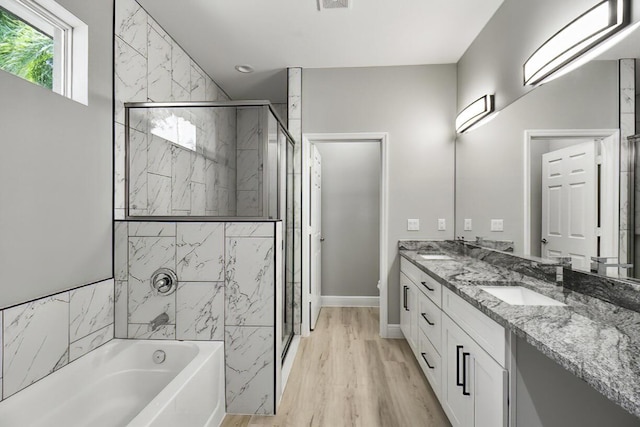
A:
[226,292]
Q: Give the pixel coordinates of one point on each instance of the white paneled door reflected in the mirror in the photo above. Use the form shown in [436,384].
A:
[569,204]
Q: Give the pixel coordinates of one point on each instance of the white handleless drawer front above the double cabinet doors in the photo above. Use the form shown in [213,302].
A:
[487,333]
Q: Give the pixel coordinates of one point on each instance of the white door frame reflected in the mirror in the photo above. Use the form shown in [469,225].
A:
[612,183]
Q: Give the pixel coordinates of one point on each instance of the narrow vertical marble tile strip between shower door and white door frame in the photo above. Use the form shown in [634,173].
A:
[294,125]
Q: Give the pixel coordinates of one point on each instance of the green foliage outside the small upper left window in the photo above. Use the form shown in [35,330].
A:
[25,51]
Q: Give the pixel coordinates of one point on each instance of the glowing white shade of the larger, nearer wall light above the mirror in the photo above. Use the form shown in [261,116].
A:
[574,40]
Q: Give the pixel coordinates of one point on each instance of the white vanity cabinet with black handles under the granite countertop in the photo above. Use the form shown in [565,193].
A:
[461,351]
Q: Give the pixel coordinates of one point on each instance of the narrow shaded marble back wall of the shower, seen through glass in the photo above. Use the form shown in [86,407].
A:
[250,161]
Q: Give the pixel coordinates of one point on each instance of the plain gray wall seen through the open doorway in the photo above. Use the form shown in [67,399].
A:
[350,218]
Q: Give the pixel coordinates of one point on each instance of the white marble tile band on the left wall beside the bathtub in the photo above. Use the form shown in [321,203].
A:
[42,336]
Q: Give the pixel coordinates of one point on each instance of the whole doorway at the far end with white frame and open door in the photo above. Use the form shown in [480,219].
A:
[344,224]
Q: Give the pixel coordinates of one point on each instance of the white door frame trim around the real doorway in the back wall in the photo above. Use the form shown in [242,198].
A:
[381,138]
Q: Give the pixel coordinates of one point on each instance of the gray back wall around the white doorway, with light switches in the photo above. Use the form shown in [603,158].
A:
[416,106]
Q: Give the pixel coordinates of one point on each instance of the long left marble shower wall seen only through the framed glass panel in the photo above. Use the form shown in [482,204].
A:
[170,180]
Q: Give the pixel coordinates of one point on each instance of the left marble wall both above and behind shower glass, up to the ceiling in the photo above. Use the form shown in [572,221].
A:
[151,66]
